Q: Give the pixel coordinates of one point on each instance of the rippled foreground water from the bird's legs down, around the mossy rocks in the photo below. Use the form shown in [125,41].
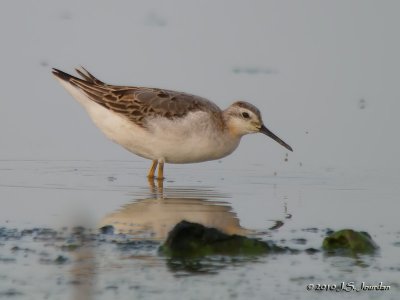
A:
[45,255]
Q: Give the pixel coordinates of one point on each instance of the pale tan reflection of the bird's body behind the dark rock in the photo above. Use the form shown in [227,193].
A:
[152,216]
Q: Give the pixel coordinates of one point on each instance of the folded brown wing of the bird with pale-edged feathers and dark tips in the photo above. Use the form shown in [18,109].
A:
[137,103]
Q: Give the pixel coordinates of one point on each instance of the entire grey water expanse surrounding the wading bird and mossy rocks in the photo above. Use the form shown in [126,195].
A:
[328,88]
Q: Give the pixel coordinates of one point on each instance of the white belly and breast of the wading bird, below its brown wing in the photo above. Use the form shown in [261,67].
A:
[191,139]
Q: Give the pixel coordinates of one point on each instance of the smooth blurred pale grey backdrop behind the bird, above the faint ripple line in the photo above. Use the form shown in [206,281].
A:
[325,74]
